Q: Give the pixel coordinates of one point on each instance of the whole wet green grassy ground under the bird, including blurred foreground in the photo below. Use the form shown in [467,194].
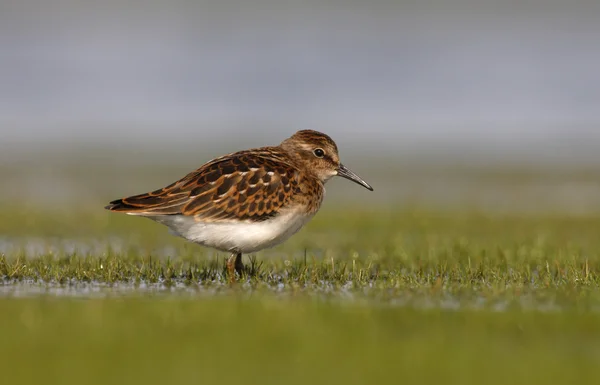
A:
[374,296]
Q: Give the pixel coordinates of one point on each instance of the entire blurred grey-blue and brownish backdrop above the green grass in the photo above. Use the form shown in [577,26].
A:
[491,105]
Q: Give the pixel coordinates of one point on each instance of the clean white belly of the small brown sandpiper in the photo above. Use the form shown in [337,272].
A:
[244,237]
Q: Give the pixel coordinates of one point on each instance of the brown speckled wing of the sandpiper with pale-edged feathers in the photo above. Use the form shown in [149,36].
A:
[249,185]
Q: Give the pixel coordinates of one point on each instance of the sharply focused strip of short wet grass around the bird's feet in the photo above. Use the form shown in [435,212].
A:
[445,281]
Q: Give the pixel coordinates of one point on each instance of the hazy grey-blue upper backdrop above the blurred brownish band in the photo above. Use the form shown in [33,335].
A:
[428,73]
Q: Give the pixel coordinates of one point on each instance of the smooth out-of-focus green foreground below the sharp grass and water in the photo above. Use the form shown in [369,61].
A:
[136,340]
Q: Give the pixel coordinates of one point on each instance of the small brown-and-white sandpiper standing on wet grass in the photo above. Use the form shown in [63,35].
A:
[248,200]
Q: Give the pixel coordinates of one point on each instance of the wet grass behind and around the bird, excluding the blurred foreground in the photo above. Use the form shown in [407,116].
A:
[385,254]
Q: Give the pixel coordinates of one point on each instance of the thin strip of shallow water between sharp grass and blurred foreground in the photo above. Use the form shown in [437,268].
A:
[324,291]
